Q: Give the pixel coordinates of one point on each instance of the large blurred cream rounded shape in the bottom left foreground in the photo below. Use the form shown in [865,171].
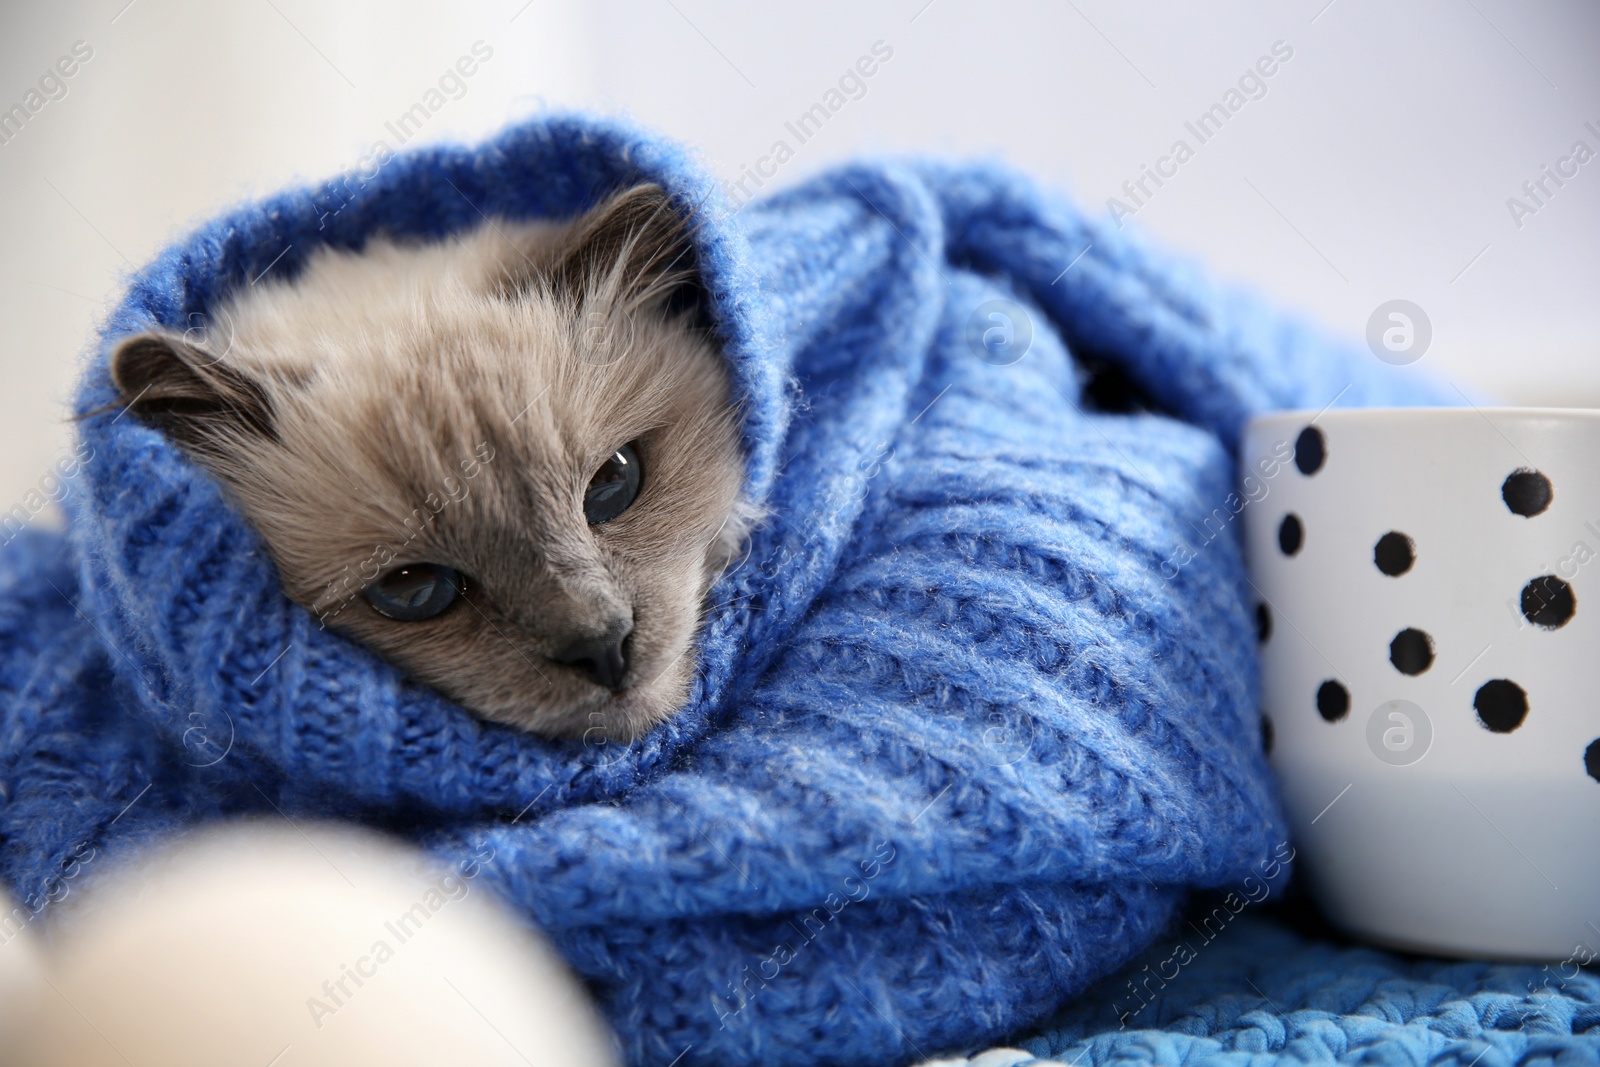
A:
[260,945]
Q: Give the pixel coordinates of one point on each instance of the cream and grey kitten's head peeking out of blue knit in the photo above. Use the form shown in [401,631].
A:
[508,462]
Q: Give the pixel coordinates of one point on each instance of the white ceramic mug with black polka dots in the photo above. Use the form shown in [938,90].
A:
[1430,605]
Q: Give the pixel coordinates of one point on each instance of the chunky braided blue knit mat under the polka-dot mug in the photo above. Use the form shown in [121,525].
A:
[1260,993]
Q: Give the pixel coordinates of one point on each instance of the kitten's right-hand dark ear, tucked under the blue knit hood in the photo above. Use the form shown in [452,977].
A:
[631,252]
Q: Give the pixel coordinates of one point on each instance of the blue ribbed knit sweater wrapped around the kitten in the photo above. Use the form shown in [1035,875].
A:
[970,721]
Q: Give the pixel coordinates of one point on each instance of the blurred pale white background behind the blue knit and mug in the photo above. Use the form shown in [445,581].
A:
[1377,166]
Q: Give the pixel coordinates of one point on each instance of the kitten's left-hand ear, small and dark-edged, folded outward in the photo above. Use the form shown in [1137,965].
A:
[186,393]
